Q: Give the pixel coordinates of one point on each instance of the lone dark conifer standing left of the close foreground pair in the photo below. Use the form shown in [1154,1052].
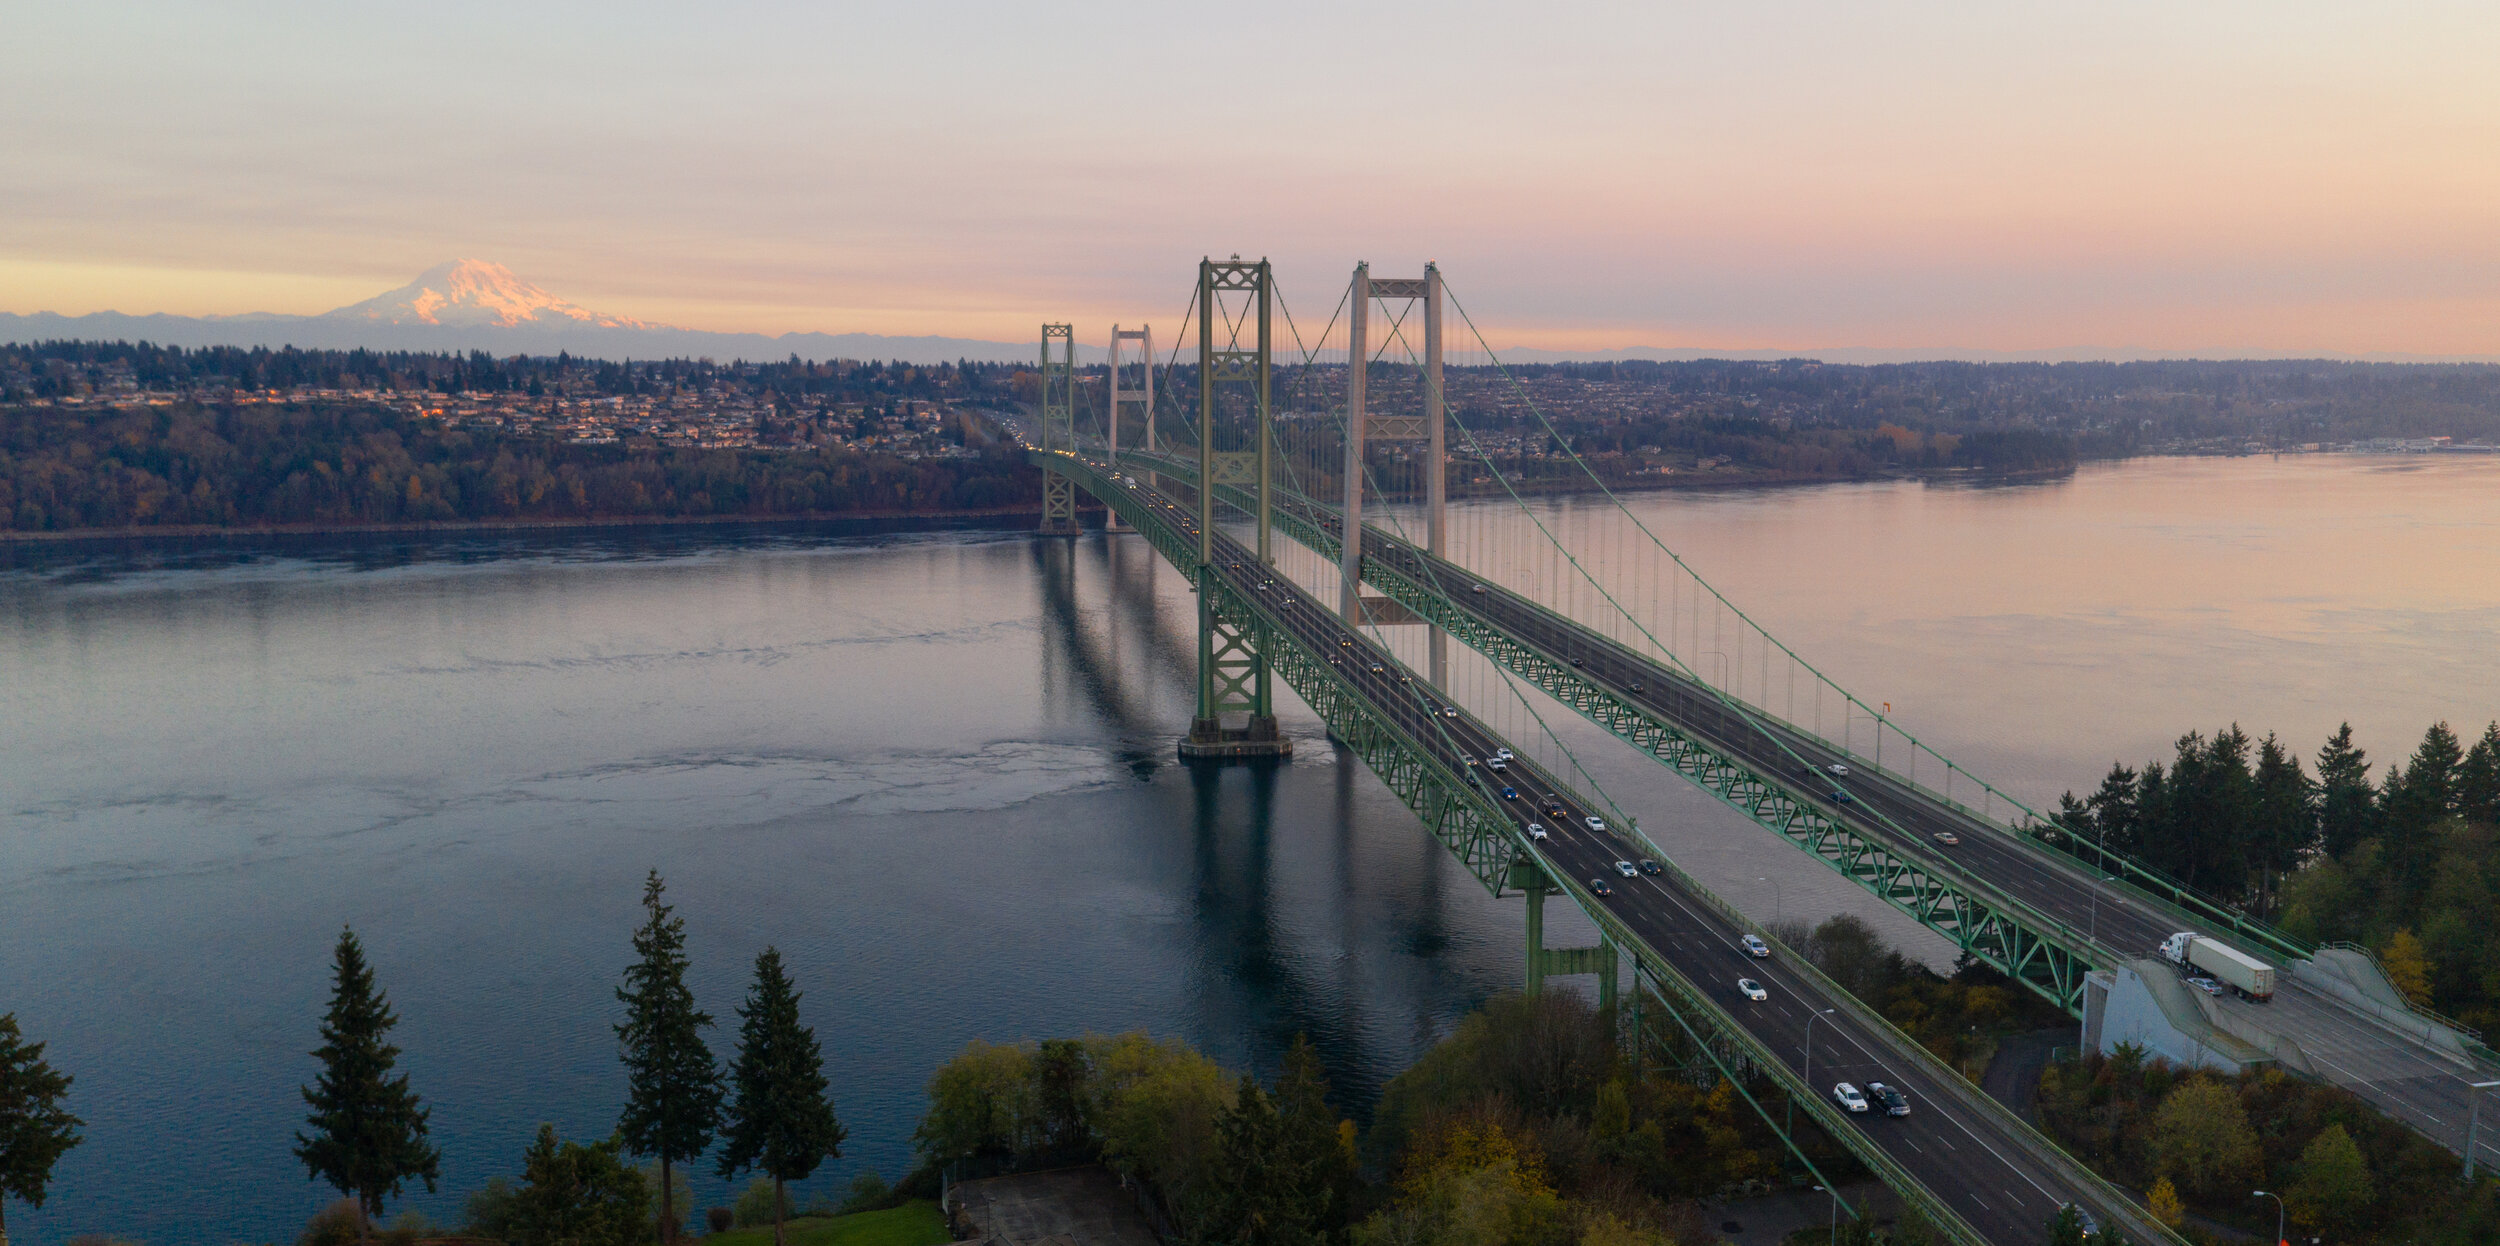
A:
[369,1132]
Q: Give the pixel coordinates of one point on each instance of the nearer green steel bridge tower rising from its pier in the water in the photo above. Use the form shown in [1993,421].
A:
[1236,697]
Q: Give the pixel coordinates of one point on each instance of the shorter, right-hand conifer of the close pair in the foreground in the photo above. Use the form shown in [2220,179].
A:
[781,1120]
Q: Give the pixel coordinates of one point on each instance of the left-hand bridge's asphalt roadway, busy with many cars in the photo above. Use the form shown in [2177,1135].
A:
[1976,1160]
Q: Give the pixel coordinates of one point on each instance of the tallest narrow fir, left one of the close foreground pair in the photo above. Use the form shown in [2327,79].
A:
[671,1080]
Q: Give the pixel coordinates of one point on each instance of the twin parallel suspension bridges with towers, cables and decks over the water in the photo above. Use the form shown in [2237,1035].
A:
[1254,477]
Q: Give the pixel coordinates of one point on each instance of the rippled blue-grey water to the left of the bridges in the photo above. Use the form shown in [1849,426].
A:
[936,772]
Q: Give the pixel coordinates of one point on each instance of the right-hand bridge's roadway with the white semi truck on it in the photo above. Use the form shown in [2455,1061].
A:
[2401,1075]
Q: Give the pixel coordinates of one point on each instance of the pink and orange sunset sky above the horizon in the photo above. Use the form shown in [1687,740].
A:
[1939,176]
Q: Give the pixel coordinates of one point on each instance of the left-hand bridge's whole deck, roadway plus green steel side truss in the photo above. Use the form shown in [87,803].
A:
[1364,707]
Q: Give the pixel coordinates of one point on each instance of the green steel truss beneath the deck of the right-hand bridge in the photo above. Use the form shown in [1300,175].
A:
[2021,942]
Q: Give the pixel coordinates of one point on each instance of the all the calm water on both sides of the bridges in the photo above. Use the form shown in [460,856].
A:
[936,772]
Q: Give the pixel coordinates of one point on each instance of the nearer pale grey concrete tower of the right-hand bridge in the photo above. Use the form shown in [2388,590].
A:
[1361,429]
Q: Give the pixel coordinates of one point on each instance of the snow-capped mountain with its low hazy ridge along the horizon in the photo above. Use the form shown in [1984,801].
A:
[484,306]
